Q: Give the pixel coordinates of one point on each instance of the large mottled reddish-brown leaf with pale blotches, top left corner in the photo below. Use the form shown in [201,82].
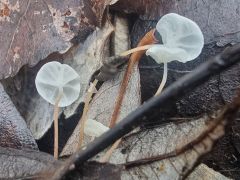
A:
[31,30]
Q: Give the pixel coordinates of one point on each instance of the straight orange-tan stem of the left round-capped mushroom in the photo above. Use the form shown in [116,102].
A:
[55,117]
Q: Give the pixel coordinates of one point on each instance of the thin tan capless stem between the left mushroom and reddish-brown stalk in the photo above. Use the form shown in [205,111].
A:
[85,111]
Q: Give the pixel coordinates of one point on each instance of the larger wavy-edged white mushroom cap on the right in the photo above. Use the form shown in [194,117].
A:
[182,40]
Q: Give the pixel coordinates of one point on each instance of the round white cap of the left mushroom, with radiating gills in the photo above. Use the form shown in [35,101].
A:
[54,78]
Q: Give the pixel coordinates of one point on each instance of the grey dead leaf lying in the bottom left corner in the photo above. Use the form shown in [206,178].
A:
[24,163]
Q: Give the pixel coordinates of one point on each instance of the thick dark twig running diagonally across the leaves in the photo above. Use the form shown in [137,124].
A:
[150,109]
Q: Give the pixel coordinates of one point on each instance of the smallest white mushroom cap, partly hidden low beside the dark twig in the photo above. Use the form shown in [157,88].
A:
[94,128]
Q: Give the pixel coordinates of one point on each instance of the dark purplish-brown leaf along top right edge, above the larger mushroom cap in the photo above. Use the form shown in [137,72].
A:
[217,18]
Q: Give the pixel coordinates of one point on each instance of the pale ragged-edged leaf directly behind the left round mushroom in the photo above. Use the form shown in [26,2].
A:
[85,59]
